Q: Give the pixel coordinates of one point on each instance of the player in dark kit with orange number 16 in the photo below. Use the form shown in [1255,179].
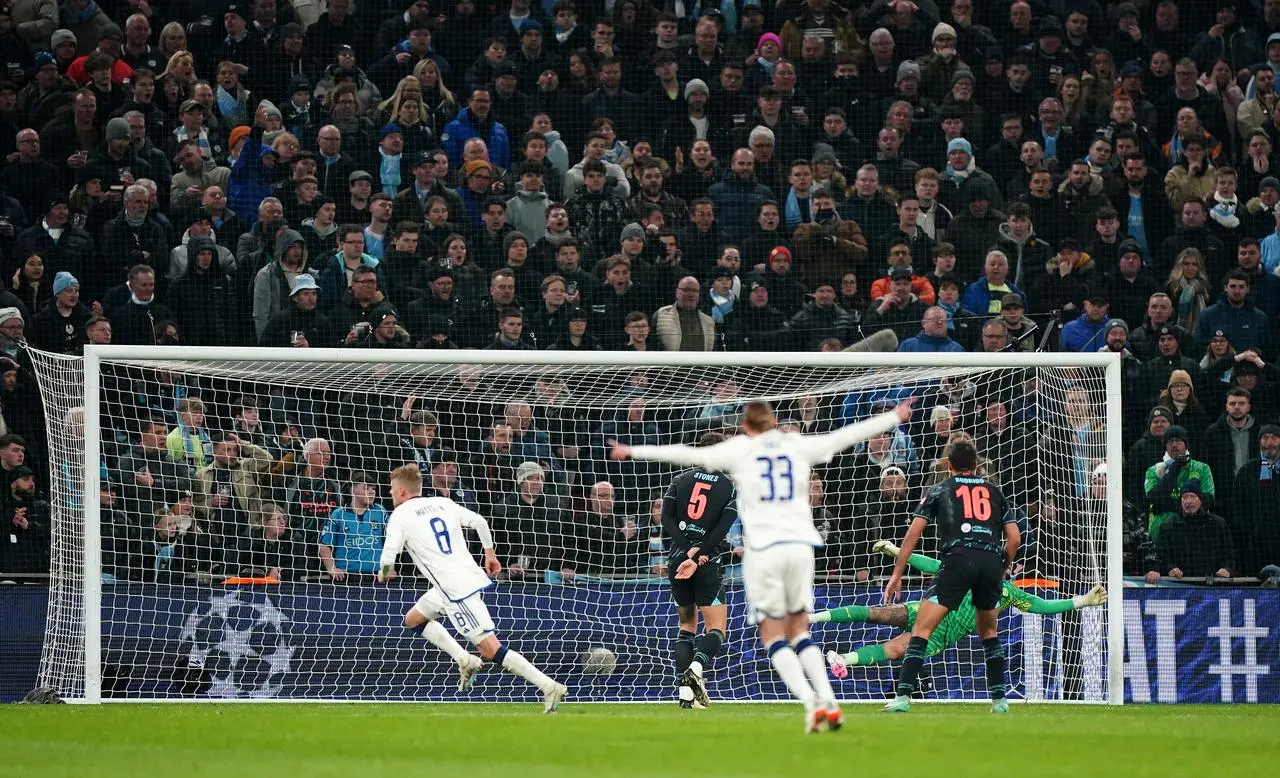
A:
[973,529]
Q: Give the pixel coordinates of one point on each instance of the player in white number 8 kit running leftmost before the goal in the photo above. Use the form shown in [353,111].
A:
[432,530]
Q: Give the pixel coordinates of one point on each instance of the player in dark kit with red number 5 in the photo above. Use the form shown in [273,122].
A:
[697,515]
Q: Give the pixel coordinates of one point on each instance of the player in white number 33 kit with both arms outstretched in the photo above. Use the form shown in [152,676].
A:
[771,472]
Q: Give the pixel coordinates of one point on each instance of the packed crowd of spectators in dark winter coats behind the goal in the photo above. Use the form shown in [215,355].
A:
[624,175]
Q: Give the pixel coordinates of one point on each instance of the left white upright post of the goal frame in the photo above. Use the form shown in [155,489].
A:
[93,532]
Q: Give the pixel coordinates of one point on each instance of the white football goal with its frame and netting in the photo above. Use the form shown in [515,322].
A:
[216,511]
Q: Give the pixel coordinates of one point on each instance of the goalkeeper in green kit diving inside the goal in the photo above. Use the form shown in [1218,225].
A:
[954,626]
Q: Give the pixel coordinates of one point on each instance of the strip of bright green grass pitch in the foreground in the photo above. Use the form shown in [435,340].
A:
[633,742]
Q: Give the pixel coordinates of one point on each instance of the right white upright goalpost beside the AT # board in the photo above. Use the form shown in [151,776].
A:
[1116,534]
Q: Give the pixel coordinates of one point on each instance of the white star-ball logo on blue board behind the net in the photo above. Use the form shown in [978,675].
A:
[243,647]
